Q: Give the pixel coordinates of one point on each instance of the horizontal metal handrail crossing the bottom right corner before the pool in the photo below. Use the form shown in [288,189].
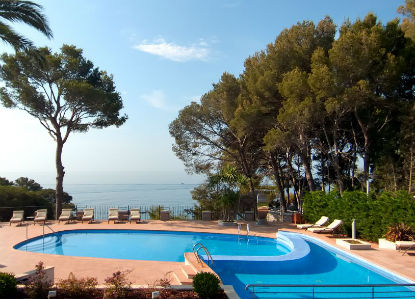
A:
[332,291]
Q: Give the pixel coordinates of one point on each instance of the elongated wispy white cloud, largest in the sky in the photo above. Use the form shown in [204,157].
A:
[172,51]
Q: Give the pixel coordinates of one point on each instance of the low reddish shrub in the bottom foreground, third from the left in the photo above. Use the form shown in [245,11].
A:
[73,287]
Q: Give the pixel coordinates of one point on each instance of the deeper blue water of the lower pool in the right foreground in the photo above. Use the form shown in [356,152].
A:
[319,267]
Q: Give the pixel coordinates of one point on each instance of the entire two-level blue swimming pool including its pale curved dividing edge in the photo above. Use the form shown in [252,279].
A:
[289,259]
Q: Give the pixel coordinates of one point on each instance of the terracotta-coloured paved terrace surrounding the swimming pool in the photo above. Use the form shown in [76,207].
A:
[147,272]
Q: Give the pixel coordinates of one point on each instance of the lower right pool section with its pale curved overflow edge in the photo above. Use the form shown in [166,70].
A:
[319,264]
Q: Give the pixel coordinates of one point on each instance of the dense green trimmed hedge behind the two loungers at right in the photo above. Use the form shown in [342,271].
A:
[373,213]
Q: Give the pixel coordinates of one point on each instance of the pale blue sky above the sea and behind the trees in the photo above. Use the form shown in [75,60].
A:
[163,55]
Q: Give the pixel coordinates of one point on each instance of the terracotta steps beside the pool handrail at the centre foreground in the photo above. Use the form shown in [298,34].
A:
[190,267]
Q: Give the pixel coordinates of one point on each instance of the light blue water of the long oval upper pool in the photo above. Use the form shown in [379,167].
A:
[149,245]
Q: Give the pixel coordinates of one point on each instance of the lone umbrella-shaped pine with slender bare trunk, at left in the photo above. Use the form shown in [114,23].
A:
[64,91]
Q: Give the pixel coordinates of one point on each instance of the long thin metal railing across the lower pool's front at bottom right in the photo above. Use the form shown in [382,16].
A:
[370,293]
